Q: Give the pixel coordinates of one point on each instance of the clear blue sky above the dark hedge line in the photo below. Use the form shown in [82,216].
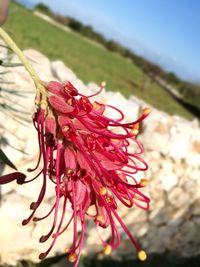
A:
[165,31]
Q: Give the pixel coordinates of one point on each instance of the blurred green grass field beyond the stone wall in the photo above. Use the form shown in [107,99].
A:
[88,60]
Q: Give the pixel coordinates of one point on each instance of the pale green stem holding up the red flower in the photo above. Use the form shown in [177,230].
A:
[38,83]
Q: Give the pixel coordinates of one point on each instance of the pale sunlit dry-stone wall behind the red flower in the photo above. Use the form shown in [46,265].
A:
[172,147]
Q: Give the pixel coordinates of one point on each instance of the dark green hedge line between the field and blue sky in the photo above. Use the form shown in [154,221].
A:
[190,91]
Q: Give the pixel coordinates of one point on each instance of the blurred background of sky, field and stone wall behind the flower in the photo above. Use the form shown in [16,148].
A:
[148,53]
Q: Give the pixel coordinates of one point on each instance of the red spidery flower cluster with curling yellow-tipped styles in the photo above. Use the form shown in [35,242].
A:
[88,157]
